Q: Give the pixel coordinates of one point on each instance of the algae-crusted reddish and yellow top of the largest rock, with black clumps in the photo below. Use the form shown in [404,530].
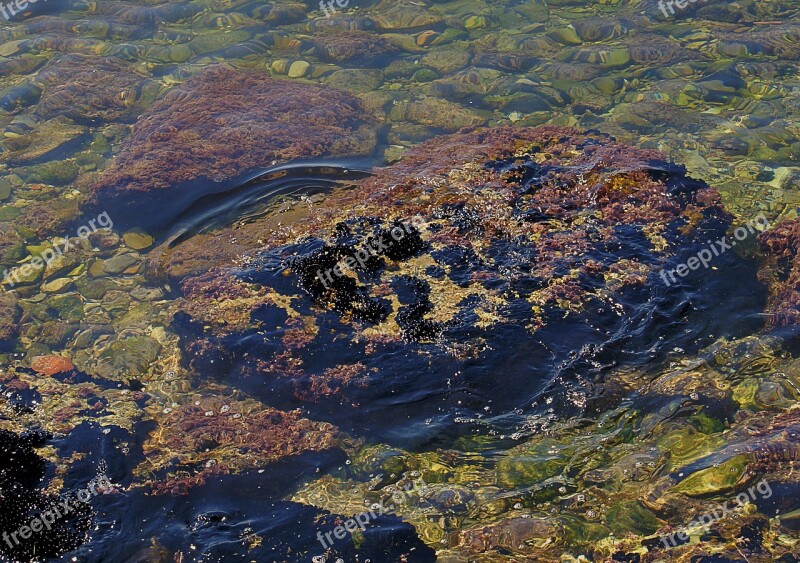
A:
[518,227]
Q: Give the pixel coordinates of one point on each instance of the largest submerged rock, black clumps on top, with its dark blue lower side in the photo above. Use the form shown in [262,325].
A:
[539,251]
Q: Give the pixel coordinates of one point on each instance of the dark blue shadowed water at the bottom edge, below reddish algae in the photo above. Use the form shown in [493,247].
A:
[241,517]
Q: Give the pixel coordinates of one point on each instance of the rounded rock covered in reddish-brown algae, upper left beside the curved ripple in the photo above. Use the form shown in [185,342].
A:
[221,125]
